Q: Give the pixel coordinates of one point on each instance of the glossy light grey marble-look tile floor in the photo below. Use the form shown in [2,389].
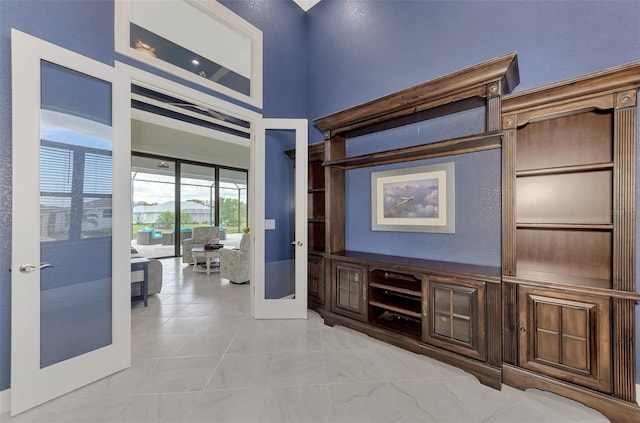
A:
[198,356]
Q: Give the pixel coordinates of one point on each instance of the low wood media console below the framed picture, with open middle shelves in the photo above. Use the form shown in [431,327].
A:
[430,307]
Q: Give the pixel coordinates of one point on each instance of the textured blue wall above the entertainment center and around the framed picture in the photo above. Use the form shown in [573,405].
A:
[362,50]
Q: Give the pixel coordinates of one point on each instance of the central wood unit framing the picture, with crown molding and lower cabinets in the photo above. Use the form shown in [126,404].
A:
[450,311]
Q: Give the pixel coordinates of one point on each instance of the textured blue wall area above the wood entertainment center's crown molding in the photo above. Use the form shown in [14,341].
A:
[361,50]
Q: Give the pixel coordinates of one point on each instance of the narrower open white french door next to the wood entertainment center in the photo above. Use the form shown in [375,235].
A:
[279,272]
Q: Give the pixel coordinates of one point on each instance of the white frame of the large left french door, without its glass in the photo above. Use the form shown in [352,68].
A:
[31,385]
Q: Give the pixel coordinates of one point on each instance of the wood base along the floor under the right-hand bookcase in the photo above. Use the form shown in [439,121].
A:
[614,409]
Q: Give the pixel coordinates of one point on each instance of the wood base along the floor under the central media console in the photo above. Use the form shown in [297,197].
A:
[487,375]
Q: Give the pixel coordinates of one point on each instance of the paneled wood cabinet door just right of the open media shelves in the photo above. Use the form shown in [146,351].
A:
[454,315]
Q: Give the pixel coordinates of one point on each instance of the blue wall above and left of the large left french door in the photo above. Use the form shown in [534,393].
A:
[85,27]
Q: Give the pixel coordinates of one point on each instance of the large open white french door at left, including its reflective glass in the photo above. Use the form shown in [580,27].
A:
[70,273]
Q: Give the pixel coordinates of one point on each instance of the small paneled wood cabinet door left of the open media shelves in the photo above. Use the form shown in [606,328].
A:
[349,290]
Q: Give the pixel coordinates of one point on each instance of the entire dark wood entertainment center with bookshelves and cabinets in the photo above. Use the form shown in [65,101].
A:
[558,314]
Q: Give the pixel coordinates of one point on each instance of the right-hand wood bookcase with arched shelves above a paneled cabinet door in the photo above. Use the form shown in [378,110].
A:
[569,239]
